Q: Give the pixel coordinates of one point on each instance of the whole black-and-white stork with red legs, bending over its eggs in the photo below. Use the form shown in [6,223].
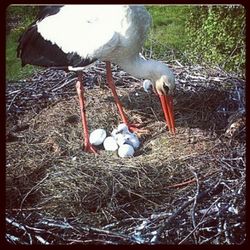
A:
[71,37]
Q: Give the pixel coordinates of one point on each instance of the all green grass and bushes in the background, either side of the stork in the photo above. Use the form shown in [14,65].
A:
[205,34]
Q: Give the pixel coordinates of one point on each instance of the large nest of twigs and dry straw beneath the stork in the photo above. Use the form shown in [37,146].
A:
[188,188]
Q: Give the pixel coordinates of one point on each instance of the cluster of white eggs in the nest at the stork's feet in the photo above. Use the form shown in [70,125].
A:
[121,139]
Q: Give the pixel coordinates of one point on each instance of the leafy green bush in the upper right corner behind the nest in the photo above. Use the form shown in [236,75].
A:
[216,35]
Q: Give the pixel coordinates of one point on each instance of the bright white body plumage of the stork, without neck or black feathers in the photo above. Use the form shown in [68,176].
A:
[106,32]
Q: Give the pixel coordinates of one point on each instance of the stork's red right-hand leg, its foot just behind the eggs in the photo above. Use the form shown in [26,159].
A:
[132,127]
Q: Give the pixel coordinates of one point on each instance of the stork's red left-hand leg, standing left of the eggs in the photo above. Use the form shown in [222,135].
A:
[80,90]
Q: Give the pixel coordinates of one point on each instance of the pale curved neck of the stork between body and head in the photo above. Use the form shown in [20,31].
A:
[139,67]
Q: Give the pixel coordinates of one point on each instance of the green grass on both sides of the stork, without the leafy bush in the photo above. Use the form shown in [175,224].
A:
[168,29]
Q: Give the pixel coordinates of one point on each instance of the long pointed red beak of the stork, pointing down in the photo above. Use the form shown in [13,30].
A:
[168,109]
